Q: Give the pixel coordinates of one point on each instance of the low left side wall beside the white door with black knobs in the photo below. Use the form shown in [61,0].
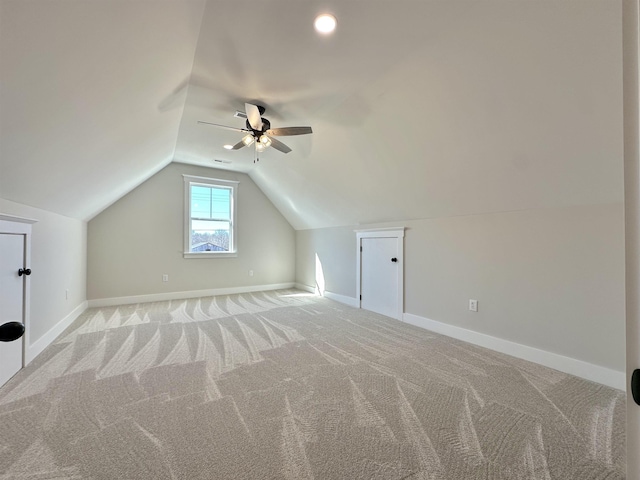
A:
[58,263]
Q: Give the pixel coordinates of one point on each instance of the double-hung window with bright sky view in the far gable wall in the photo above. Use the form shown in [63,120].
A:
[209,229]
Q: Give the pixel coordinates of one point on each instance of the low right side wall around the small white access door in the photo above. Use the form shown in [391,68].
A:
[551,279]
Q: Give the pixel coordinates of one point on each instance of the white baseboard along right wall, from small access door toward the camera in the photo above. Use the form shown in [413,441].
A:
[588,371]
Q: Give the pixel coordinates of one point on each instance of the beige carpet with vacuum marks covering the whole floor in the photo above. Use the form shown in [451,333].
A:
[283,385]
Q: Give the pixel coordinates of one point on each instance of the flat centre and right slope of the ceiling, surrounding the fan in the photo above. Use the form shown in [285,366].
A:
[419,109]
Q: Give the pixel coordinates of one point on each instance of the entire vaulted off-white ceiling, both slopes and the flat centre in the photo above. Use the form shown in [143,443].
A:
[419,108]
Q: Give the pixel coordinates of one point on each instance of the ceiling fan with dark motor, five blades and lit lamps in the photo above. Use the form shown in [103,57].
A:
[259,132]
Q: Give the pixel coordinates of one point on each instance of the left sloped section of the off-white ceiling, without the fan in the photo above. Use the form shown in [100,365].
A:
[85,113]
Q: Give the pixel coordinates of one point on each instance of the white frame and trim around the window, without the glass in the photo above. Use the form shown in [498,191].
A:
[190,180]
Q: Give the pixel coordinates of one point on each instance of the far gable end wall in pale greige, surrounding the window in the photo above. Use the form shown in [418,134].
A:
[139,238]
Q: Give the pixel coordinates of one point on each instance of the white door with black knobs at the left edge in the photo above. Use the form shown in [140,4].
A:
[11,301]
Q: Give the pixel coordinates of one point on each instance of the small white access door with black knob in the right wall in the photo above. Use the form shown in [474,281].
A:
[379,275]
